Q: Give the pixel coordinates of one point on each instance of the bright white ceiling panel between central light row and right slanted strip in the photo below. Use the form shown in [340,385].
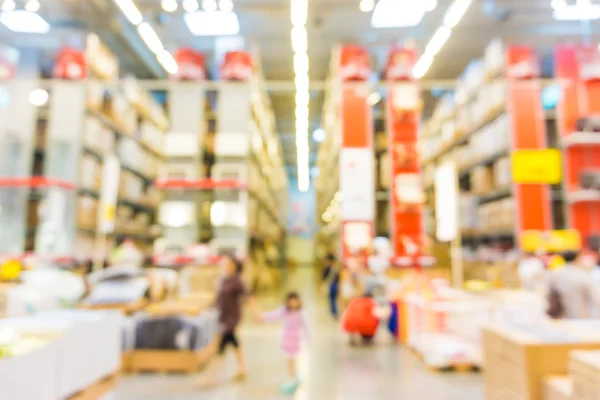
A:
[397,13]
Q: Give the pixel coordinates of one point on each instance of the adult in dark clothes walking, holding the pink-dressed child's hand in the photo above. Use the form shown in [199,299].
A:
[230,295]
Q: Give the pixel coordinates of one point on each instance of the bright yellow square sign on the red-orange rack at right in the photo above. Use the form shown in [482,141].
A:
[543,166]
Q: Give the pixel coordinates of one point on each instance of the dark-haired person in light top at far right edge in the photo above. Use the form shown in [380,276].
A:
[570,290]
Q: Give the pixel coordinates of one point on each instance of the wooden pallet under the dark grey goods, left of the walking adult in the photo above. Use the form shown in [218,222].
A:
[170,361]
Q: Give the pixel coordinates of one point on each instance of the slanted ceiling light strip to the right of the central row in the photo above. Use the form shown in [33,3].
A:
[452,18]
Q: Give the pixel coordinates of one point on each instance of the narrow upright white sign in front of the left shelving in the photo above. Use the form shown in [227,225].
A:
[111,171]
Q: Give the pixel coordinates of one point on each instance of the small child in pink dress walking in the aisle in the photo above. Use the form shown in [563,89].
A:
[294,327]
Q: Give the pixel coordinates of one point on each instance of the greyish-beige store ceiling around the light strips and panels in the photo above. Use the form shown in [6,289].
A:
[266,24]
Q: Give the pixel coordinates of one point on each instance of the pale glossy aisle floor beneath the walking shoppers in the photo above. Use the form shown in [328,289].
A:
[329,368]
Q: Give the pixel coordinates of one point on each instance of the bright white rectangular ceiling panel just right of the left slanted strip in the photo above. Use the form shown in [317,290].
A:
[216,23]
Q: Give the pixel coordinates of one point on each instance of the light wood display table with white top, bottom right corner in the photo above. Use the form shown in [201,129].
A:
[518,357]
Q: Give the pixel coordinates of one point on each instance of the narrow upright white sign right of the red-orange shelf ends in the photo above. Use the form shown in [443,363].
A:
[446,202]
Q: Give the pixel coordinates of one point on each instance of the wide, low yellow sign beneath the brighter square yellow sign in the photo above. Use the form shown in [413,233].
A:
[550,241]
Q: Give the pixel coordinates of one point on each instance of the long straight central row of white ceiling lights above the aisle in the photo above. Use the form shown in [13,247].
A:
[299,14]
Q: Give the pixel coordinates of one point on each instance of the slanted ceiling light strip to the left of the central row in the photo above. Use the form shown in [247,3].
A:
[148,35]
